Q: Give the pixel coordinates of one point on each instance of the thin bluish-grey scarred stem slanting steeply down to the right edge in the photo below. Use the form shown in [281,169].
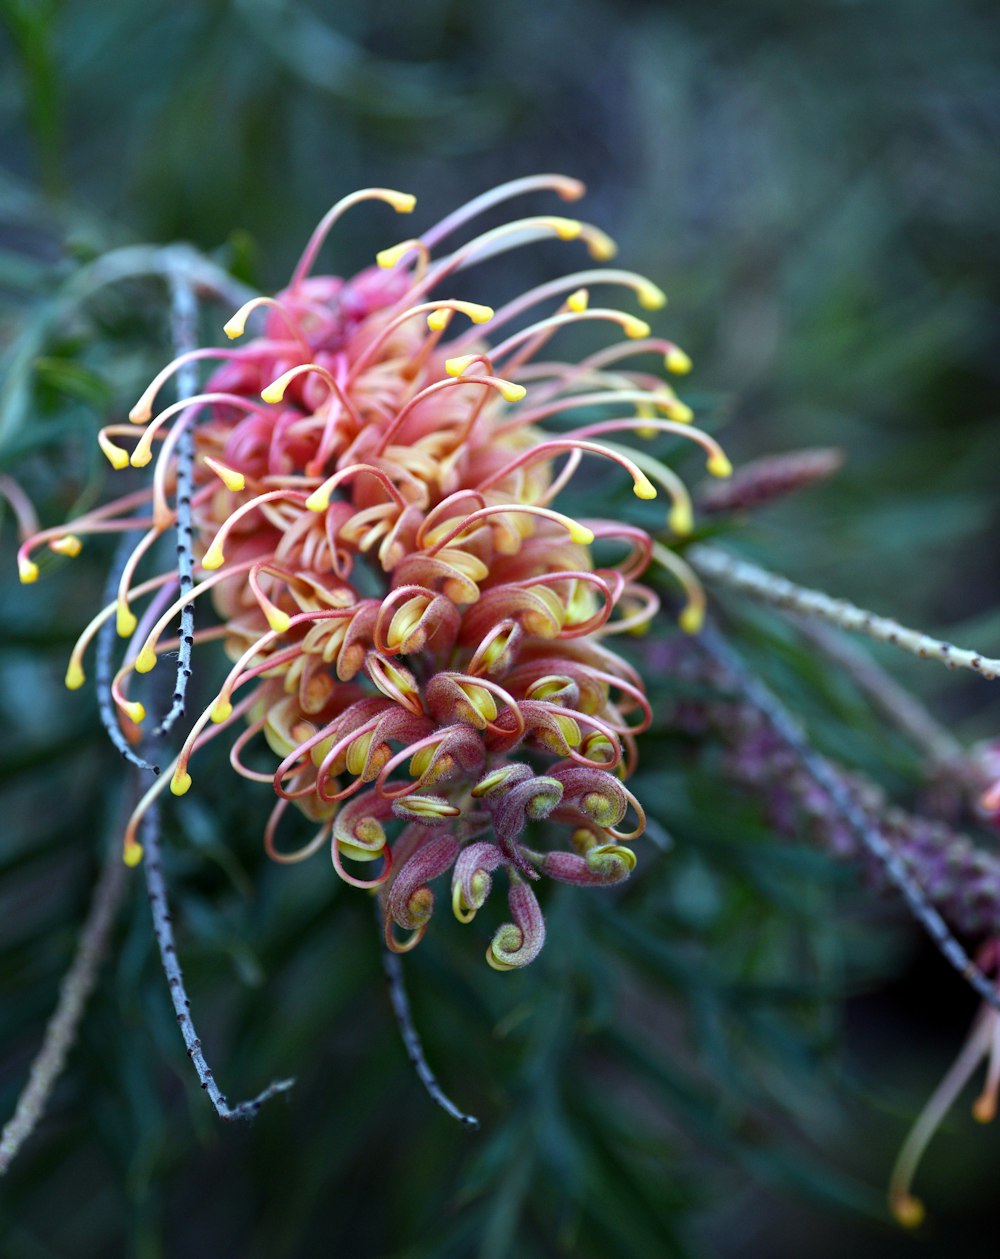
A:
[827,779]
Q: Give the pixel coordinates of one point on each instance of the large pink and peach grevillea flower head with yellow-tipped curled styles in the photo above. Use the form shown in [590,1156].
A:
[416,634]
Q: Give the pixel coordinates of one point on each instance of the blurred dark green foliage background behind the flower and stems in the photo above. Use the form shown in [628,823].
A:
[817,187]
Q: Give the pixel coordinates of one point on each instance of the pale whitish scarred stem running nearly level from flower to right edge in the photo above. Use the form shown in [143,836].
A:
[770,589]
